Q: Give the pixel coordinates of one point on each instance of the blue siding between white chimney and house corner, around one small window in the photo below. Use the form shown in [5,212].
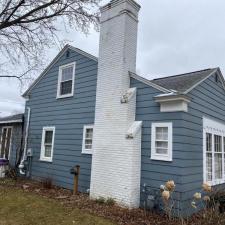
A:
[153,172]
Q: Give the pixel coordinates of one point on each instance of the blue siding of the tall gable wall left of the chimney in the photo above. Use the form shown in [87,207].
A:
[68,115]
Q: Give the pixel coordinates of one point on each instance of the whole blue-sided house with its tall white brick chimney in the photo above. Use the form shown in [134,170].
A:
[125,132]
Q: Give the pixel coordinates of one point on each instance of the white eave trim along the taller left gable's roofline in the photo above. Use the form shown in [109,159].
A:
[53,62]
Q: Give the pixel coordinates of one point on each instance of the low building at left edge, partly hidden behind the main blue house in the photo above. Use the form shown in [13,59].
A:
[11,129]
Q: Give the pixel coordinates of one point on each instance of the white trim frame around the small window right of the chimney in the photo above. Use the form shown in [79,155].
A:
[154,155]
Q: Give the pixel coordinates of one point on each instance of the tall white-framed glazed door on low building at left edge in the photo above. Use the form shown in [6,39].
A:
[5,142]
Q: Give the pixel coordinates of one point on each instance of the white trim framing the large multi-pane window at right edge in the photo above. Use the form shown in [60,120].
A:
[215,128]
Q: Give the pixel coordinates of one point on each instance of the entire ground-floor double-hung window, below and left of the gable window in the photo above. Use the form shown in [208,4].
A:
[47,144]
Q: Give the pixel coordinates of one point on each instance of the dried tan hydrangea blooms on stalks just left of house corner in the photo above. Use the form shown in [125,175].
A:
[167,191]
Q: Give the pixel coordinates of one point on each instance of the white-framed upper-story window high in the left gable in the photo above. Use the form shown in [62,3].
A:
[66,80]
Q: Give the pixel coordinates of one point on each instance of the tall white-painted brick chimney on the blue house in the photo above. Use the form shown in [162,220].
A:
[116,162]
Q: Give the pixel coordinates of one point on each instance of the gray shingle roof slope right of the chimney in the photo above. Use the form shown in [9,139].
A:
[183,82]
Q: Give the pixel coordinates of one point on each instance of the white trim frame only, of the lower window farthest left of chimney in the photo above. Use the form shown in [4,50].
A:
[42,157]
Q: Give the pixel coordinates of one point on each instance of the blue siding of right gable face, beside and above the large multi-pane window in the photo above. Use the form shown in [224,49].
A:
[207,99]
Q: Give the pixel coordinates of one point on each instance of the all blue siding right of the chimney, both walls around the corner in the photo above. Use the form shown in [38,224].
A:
[186,169]
